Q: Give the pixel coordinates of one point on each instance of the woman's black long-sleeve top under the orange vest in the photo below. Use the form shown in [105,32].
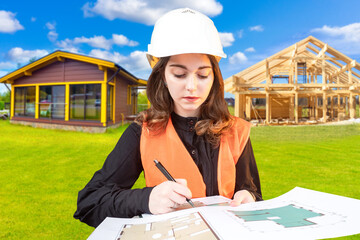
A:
[109,193]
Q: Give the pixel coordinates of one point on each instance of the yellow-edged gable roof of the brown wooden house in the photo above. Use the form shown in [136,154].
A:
[60,56]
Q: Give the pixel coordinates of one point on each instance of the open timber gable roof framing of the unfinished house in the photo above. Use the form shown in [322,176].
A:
[310,51]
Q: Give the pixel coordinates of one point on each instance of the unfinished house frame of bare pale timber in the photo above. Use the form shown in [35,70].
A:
[304,66]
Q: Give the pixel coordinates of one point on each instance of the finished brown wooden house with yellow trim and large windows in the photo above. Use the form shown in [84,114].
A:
[73,91]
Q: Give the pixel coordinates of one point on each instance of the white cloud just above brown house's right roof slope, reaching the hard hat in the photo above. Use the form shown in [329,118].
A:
[135,63]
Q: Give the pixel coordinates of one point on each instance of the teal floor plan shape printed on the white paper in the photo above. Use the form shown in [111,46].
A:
[287,216]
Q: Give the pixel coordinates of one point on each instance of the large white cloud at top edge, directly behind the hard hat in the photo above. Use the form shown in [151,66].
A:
[146,11]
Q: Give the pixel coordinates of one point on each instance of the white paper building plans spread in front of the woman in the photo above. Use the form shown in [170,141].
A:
[298,214]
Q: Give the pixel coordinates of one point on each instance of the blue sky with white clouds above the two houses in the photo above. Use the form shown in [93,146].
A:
[120,30]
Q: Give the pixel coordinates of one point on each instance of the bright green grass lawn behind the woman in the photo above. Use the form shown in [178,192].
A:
[42,171]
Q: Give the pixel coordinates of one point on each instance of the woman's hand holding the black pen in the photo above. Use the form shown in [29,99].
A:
[168,195]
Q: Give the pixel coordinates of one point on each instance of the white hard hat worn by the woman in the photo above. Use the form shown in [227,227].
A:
[184,31]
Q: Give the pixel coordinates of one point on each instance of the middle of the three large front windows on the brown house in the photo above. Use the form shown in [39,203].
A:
[52,102]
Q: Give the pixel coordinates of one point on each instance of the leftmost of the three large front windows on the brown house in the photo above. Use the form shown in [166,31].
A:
[25,101]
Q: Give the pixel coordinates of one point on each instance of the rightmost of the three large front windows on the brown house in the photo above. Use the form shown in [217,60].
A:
[85,102]
